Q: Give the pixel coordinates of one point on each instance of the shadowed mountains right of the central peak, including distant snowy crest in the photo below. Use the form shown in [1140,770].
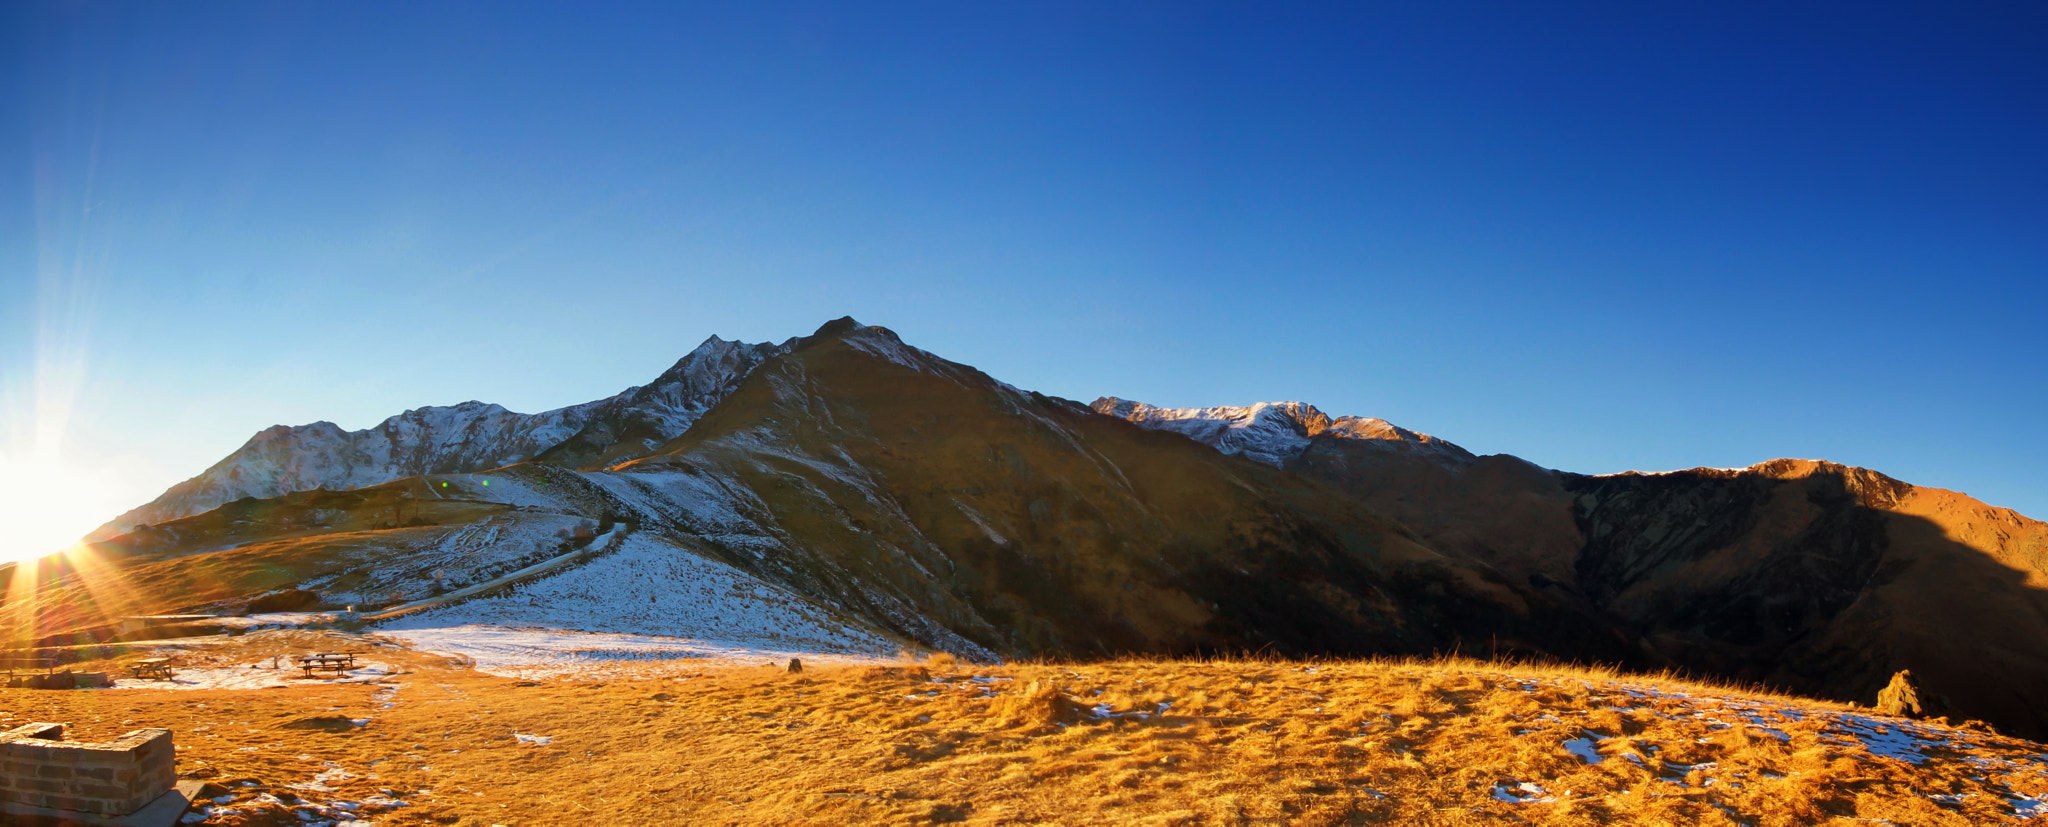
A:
[1807,576]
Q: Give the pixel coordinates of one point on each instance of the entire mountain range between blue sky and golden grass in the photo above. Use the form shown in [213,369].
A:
[886,494]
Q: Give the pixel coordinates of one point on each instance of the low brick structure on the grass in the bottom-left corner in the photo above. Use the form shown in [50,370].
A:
[38,769]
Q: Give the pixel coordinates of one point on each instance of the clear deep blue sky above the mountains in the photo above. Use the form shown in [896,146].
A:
[1596,236]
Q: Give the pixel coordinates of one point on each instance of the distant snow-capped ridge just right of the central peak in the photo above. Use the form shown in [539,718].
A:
[1275,433]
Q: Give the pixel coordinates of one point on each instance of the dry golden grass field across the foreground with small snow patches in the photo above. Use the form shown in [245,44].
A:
[1218,742]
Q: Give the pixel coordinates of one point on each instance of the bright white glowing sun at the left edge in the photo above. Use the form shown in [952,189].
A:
[48,505]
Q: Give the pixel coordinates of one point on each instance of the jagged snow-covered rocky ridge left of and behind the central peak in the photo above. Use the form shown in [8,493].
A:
[460,439]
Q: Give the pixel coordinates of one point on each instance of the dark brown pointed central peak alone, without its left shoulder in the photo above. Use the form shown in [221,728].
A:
[923,492]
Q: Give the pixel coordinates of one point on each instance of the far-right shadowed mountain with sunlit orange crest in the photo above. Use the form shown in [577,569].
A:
[1826,580]
